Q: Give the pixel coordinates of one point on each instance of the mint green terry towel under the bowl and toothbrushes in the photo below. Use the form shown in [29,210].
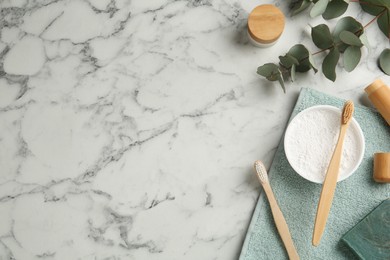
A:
[355,197]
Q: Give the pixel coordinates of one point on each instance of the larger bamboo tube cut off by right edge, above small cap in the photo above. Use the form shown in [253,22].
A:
[379,95]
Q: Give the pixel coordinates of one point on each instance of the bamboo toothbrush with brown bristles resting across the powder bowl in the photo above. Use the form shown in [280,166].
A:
[330,181]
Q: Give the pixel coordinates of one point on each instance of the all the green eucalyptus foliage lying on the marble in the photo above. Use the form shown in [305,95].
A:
[347,38]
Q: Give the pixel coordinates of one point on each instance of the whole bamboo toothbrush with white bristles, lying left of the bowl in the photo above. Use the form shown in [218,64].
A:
[280,222]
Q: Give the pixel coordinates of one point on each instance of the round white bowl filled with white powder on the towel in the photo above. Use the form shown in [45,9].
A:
[310,157]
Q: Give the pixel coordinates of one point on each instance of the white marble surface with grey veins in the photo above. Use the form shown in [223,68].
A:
[128,128]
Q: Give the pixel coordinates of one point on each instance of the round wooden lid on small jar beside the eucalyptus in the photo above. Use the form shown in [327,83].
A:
[265,23]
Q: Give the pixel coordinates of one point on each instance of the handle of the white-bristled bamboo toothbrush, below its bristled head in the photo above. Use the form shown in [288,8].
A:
[281,224]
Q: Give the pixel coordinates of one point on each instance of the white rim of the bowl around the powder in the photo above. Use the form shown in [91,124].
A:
[353,121]
